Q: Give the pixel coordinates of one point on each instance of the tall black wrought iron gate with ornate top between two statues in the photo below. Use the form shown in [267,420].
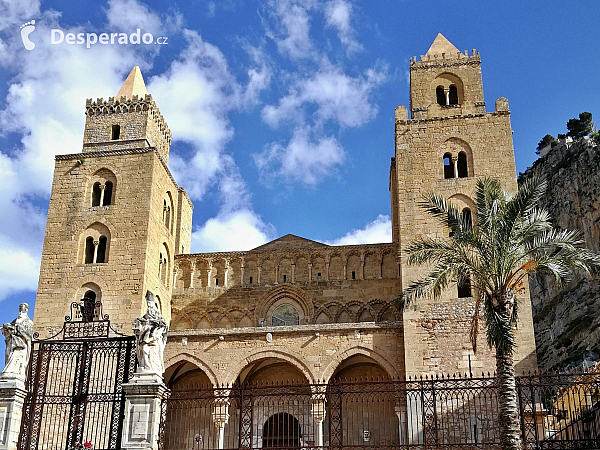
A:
[74,391]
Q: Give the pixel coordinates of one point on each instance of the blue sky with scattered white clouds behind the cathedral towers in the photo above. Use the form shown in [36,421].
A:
[281,111]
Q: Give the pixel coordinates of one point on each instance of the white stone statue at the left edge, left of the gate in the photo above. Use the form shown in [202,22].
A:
[18,335]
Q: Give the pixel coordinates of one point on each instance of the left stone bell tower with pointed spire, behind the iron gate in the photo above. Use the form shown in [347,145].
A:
[116,218]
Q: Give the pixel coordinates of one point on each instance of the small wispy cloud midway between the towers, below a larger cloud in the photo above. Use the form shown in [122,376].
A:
[303,159]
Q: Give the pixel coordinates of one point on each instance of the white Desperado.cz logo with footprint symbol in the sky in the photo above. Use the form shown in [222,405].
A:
[58,36]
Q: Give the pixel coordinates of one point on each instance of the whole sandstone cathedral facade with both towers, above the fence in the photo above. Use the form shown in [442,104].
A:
[293,308]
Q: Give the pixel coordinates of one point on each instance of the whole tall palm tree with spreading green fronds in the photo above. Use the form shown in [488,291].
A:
[509,238]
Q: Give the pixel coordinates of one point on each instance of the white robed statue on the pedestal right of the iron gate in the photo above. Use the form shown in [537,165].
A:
[151,333]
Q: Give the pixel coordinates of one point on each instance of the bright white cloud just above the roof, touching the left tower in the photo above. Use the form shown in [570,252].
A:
[239,230]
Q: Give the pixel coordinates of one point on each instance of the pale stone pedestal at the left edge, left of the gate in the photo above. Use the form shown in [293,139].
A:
[12,397]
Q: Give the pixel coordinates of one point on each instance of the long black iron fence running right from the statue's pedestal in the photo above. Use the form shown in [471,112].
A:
[558,411]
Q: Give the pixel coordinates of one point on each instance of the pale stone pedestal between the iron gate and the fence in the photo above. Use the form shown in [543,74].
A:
[143,399]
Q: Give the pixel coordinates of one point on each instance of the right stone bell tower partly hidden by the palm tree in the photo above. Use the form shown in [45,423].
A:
[448,142]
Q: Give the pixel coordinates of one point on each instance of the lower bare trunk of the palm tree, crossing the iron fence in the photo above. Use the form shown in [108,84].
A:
[510,427]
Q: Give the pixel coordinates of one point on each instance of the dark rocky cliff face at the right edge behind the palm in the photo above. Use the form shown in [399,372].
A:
[567,321]
